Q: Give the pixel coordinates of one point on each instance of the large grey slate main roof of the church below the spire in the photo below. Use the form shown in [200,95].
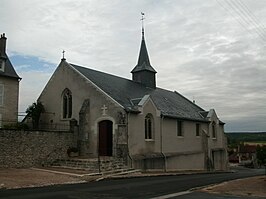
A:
[128,93]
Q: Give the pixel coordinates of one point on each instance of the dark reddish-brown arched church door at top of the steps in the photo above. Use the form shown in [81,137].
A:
[105,138]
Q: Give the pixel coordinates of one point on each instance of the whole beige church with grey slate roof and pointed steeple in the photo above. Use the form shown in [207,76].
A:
[149,127]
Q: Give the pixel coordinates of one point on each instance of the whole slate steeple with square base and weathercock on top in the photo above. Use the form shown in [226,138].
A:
[143,72]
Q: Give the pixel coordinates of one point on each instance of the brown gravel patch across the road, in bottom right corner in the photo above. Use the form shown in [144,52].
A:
[253,186]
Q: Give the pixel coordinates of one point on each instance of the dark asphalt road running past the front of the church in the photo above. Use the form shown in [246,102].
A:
[144,187]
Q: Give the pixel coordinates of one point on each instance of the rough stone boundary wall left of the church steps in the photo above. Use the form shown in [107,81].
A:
[33,148]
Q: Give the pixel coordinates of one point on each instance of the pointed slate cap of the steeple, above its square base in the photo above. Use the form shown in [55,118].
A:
[143,61]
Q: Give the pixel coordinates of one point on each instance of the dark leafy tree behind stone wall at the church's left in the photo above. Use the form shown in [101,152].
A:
[34,111]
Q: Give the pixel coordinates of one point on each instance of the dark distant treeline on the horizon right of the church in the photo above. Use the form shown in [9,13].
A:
[238,137]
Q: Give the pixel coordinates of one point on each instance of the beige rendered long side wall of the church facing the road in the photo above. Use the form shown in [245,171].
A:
[187,152]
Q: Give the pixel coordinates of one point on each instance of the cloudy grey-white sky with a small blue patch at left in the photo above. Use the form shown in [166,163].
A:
[210,51]
